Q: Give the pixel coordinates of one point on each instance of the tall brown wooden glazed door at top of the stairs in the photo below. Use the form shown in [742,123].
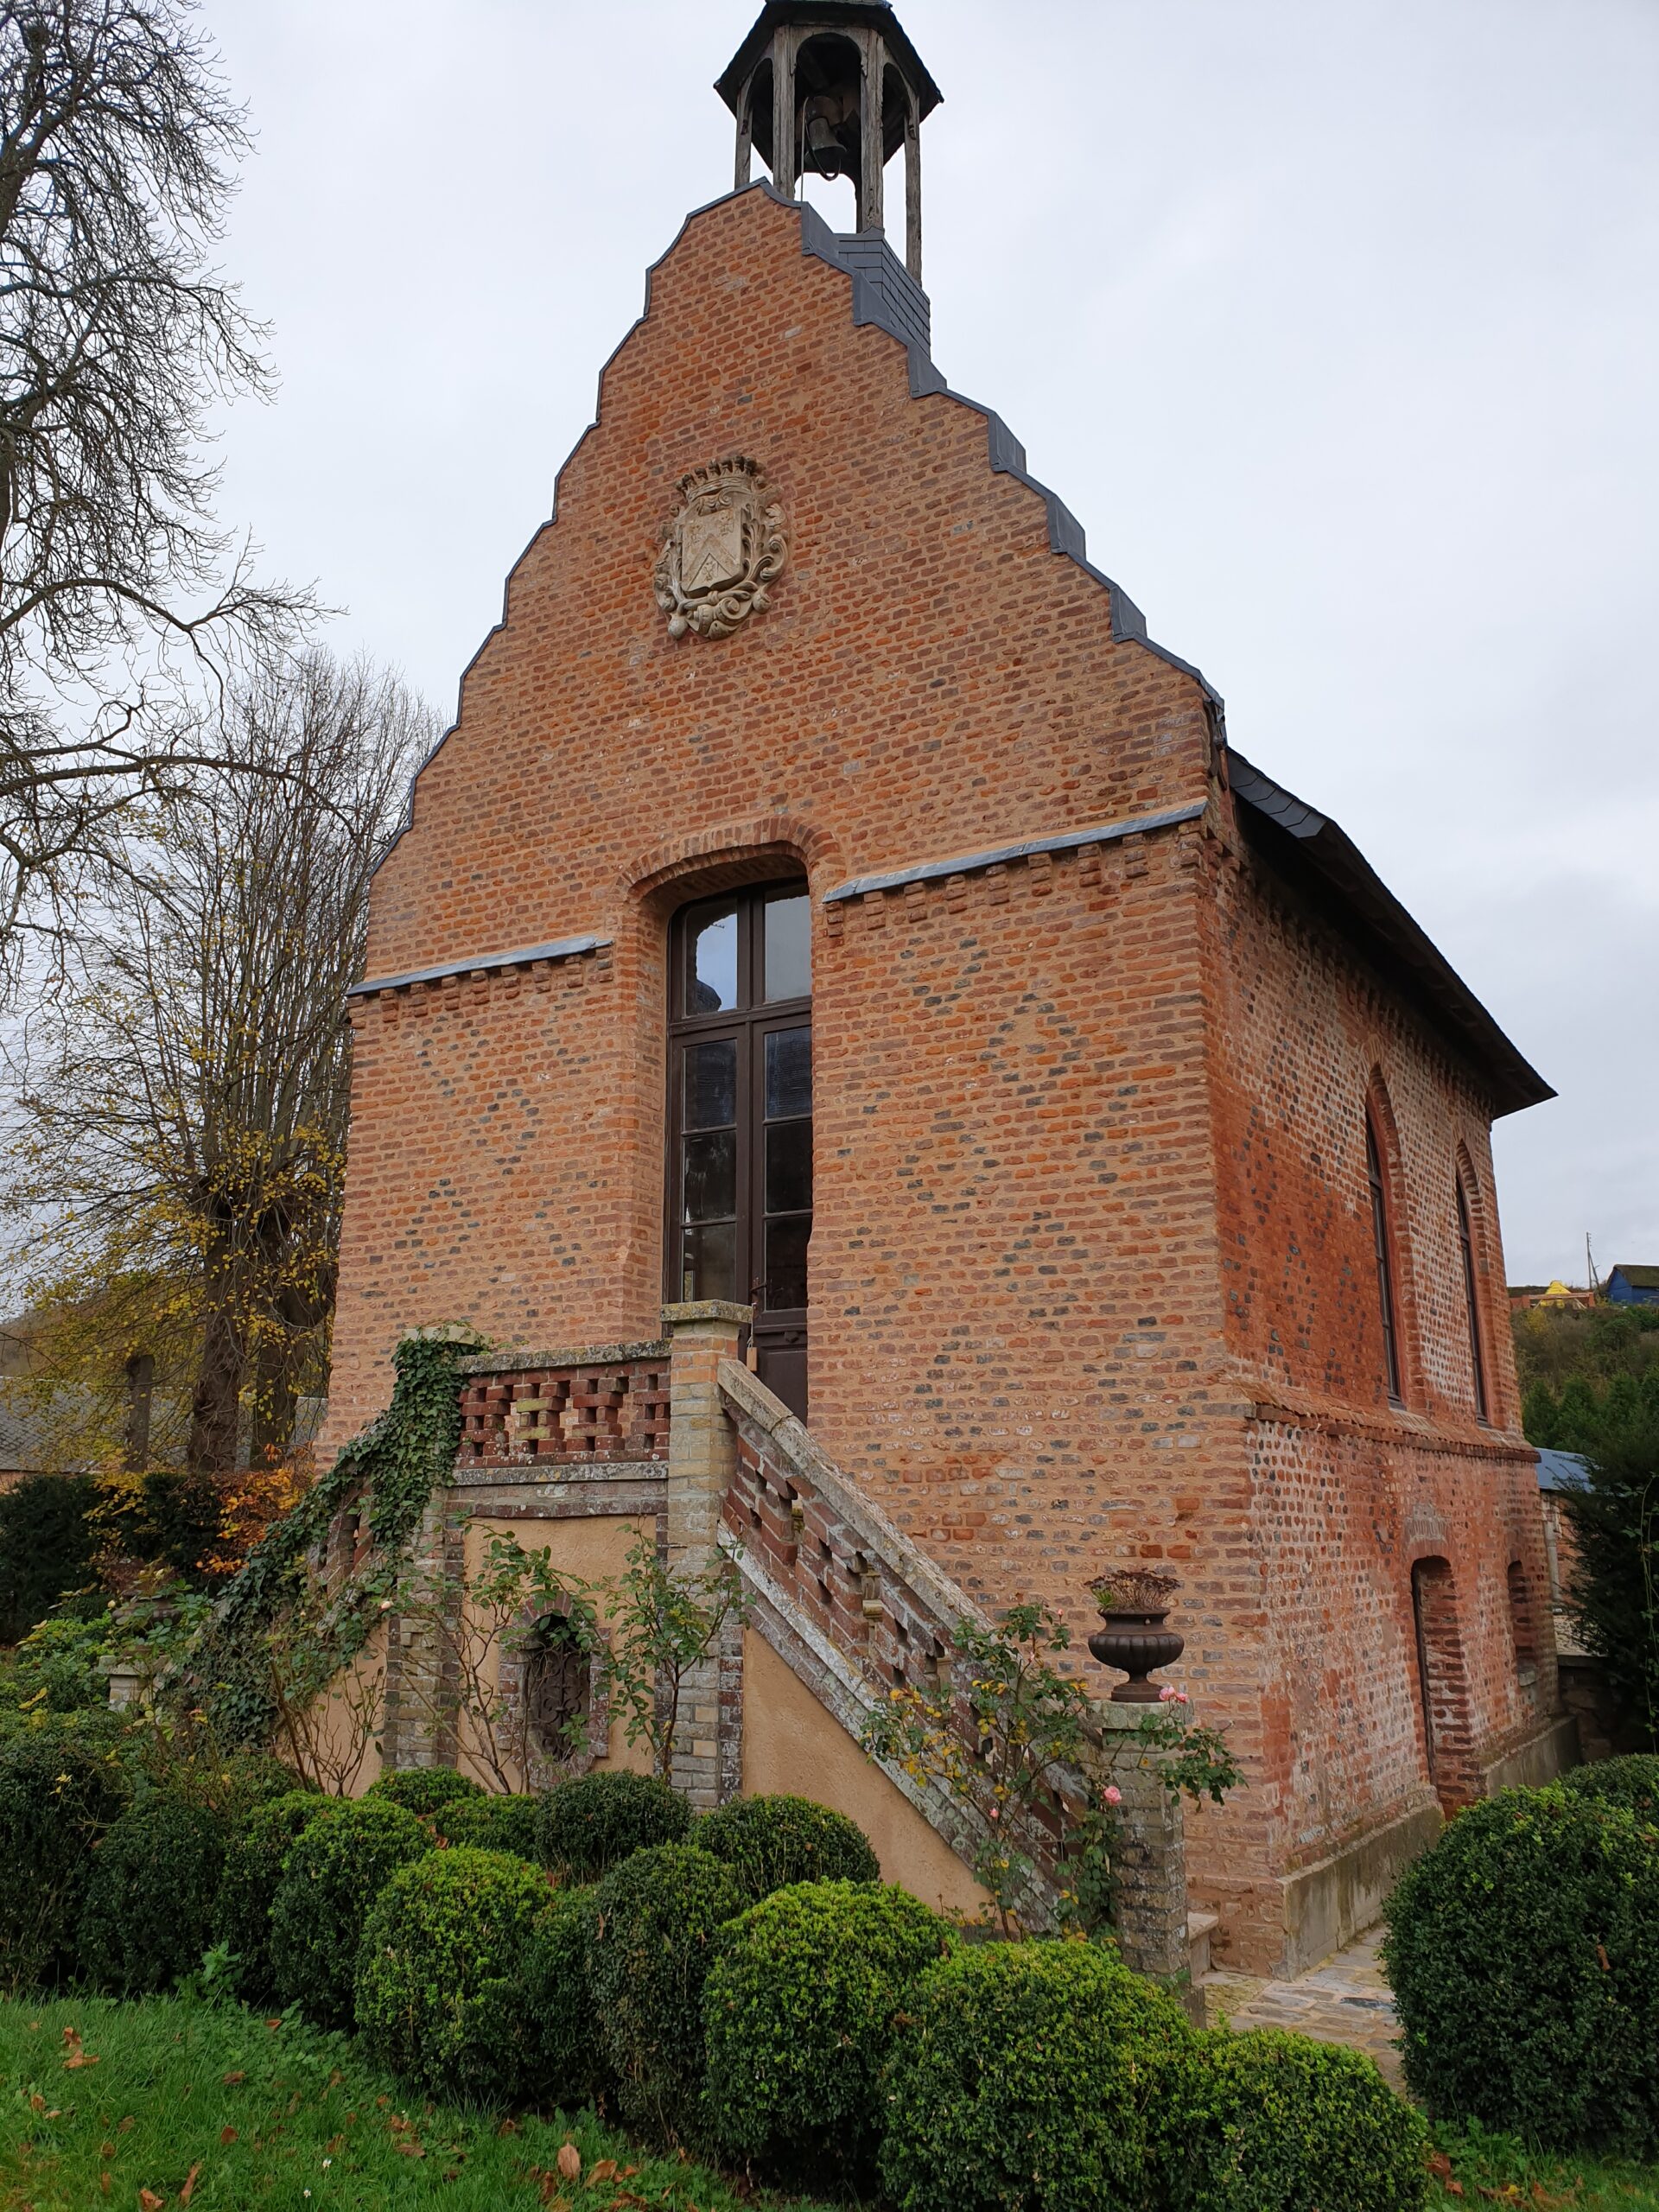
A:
[740,1118]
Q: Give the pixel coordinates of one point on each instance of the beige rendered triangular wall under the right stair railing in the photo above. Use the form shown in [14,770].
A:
[791,1744]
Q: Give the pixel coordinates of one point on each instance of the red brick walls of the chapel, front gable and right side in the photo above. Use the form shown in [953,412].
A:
[1092,1269]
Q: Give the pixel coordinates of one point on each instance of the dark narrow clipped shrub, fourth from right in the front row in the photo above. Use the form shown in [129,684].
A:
[654,1939]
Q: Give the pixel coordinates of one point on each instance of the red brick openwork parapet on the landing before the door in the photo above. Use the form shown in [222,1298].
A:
[561,1410]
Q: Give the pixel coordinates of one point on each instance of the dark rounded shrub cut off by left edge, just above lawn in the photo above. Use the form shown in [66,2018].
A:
[56,1799]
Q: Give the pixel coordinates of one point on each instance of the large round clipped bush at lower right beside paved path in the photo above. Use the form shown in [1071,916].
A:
[1525,1965]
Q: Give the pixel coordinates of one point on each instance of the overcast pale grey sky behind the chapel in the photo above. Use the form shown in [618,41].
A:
[1335,322]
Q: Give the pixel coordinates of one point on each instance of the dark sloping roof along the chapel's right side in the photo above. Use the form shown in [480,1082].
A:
[1335,875]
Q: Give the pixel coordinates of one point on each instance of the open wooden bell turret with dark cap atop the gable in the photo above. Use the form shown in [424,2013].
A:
[835,90]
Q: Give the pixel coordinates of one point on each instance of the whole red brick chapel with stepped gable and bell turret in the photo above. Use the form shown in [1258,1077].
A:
[831,904]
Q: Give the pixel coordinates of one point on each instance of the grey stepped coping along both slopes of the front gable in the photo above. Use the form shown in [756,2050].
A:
[820,240]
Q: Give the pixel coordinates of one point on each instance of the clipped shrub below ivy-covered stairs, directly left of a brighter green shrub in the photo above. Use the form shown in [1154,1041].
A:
[335,1872]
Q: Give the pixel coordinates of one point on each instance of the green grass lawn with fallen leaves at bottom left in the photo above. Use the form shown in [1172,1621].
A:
[160,2105]
